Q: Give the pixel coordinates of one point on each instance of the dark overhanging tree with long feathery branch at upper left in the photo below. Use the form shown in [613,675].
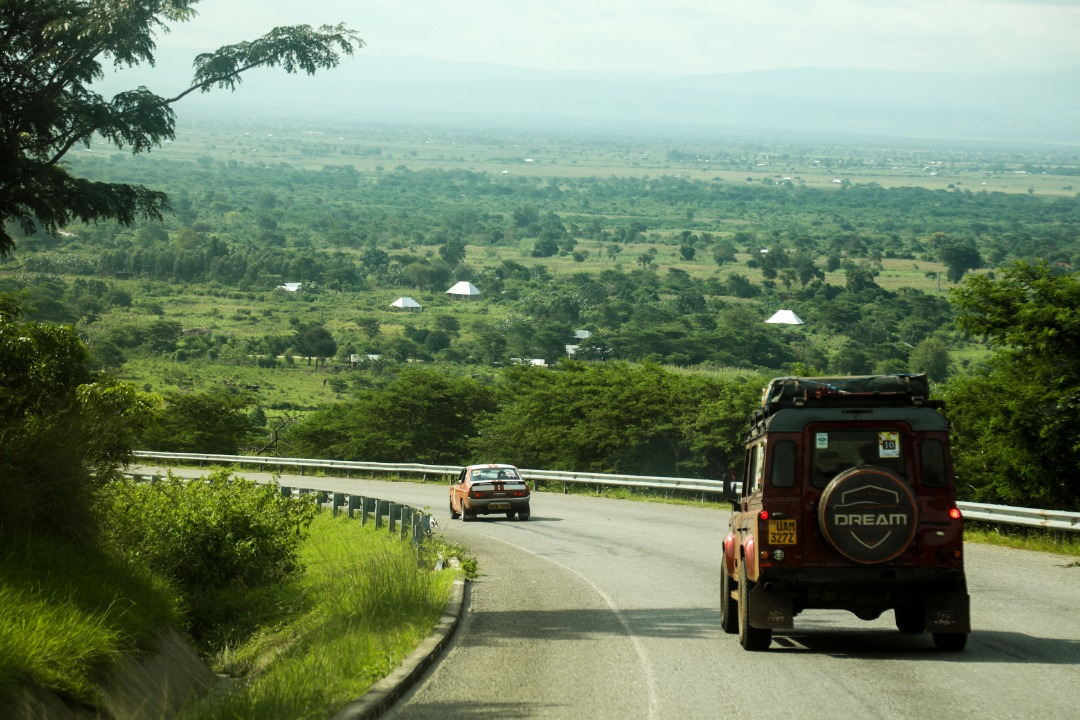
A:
[51,53]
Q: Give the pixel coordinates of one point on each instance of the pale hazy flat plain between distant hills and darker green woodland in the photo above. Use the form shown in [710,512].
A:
[371,150]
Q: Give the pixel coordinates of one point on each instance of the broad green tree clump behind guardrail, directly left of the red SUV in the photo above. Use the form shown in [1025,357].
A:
[617,418]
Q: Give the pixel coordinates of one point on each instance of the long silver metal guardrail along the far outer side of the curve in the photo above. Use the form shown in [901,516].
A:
[1001,514]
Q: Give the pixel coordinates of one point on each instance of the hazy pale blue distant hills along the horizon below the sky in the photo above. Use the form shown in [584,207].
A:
[1020,107]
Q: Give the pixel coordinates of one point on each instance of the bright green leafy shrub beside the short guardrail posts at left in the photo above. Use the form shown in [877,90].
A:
[211,538]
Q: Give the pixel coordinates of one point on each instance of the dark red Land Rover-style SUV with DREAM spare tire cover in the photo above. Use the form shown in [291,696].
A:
[848,501]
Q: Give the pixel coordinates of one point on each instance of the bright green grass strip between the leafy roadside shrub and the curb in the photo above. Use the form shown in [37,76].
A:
[363,605]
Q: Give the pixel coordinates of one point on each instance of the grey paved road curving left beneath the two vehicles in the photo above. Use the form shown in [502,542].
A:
[607,609]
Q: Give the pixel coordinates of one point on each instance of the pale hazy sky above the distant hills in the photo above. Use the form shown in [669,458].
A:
[685,37]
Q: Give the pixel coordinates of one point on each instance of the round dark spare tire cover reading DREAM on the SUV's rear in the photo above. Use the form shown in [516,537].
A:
[869,514]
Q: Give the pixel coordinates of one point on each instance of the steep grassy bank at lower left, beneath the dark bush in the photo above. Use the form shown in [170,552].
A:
[69,610]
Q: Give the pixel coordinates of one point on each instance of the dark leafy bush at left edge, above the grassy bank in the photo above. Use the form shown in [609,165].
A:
[63,430]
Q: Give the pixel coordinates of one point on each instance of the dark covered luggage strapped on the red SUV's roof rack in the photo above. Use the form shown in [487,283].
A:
[902,389]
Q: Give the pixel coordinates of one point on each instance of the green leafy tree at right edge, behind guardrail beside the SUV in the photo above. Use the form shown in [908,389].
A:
[1018,425]
